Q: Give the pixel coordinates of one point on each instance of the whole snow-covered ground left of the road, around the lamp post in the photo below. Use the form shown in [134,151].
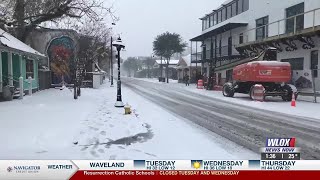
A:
[52,125]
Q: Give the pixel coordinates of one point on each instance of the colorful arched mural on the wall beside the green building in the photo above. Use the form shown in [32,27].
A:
[61,53]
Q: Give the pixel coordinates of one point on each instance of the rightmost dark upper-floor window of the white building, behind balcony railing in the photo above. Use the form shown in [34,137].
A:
[295,23]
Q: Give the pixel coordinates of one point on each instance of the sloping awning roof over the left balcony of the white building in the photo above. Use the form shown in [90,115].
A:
[218,30]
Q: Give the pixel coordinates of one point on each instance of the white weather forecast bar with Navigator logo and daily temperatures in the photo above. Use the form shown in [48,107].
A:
[66,169]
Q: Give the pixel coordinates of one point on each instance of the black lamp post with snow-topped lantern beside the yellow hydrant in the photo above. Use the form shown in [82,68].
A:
[119,45]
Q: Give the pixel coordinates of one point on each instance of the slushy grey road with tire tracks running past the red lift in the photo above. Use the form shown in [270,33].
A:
[245,125]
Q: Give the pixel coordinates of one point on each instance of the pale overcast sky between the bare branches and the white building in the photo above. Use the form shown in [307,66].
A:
[142,20]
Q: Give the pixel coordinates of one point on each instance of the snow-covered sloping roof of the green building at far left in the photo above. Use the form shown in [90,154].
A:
[8,40]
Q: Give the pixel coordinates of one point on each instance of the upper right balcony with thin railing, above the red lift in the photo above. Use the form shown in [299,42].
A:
[281,34]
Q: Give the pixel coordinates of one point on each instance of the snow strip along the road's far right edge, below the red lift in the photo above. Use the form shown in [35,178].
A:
[305,106]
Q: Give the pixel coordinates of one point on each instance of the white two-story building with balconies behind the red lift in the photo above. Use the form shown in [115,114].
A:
[240,29]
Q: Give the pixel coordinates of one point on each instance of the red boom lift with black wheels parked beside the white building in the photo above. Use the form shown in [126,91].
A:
[263,70]
